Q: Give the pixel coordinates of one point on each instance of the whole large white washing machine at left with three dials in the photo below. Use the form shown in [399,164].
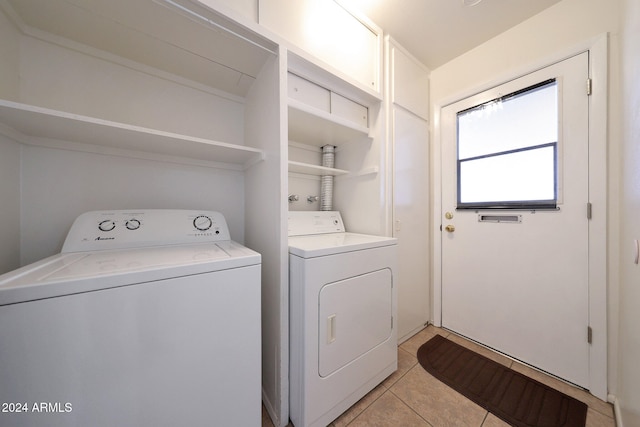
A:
[146,318]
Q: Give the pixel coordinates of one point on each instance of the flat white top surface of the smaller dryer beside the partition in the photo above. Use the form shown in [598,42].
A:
[335,243]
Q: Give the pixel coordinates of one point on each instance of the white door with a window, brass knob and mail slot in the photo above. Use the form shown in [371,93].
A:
[514,219]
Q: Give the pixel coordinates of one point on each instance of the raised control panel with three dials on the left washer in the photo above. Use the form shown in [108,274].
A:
[121,229]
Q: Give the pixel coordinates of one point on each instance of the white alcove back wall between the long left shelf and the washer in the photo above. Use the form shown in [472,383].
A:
[58,185]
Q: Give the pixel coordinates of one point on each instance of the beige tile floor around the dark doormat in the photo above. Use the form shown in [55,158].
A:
[412,397]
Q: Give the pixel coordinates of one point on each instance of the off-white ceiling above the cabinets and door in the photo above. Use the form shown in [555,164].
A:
[436,31]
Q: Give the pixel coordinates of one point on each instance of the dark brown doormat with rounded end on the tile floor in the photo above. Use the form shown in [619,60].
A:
[509,395]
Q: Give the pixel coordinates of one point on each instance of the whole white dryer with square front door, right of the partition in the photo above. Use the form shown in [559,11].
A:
[343,339]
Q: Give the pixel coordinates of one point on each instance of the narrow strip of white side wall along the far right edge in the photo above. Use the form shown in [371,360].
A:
[629,368]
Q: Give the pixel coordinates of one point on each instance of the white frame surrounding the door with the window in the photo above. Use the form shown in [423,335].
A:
[598,181]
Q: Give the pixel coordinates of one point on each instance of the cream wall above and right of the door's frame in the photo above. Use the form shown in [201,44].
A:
[542,38]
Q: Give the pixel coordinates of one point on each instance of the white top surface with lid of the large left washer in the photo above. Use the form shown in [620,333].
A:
[71,273]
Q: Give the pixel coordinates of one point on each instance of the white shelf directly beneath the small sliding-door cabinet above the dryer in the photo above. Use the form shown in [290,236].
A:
[313,126]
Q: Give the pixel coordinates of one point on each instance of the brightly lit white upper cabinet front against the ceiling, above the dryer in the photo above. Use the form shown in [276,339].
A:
[350,44]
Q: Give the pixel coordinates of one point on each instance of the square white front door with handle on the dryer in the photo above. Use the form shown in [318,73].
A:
[355,315]
